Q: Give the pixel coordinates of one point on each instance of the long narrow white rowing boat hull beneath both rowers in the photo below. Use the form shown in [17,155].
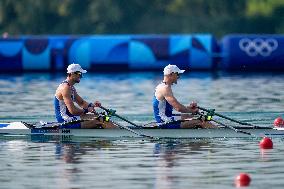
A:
[156,133]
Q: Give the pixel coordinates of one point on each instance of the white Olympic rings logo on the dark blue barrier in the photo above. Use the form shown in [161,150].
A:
[262,47]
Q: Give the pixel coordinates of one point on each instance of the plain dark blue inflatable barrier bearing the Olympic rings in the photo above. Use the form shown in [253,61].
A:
[253,52]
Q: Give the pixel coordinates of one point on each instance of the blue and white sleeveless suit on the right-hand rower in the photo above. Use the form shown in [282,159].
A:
[163,113]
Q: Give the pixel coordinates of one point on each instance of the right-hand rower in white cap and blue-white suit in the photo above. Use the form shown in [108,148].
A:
[164,102]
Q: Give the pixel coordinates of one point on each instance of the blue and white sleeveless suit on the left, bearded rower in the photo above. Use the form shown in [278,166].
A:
[62,113]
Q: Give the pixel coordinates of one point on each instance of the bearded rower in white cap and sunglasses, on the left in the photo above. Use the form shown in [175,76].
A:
[66,97]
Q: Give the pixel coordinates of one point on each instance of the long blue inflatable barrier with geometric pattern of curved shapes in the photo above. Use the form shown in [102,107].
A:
[107,52]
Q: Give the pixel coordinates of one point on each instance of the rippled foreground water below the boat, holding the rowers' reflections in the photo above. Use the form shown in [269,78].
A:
[132,163]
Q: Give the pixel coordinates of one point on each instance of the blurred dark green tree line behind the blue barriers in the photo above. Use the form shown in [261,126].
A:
[219,17]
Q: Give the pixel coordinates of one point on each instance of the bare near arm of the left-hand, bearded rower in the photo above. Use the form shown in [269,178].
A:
[66,94]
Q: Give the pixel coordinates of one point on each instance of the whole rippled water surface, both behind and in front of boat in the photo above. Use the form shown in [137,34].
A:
[135,163]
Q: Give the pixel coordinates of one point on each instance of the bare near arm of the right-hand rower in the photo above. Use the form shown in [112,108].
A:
[168,95]
